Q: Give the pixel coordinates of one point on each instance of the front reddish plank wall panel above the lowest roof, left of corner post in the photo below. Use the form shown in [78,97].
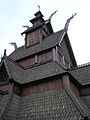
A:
[42,87]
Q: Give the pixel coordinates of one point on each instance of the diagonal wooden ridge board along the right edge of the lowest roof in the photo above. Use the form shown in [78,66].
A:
[77,103]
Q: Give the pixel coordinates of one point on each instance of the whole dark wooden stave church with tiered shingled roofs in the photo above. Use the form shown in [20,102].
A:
[41,80]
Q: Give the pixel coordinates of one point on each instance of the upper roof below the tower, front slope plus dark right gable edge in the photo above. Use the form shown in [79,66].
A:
[47,43]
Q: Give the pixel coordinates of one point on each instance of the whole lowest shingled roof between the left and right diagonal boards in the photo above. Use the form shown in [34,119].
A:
[52,105]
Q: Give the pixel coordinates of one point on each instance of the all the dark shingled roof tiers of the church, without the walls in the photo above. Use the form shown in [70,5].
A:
[59,104]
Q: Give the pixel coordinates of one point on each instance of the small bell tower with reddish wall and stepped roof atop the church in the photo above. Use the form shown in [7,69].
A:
[40,29]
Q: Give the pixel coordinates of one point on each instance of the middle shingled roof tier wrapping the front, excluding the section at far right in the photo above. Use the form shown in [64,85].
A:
[36,73]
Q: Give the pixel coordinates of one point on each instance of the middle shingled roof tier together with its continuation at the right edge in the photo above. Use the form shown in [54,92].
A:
[38,72]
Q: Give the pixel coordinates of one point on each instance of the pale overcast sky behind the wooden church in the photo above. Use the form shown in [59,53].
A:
[15,13]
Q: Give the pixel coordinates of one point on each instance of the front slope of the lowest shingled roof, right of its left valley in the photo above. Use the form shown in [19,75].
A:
[50,105]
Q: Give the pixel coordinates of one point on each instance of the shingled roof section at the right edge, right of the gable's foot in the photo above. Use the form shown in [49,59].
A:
[82,74]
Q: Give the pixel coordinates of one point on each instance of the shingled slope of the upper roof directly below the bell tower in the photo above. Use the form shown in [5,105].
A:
[47,43]
